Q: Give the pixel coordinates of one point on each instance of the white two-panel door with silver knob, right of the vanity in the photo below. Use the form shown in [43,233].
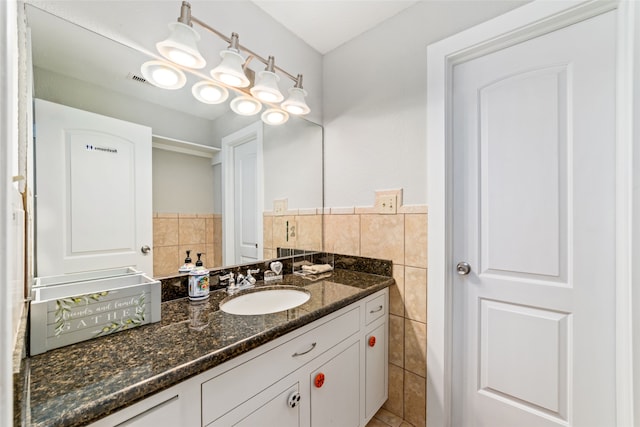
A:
[534,217]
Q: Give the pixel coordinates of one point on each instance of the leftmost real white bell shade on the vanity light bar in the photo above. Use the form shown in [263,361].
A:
[181,46]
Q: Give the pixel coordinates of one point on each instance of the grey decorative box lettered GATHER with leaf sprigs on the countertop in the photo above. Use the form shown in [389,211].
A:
[77,307]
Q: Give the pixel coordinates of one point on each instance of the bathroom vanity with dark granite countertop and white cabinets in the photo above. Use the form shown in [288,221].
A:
[322,363]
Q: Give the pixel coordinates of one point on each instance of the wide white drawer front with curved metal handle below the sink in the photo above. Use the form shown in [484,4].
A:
[230,389]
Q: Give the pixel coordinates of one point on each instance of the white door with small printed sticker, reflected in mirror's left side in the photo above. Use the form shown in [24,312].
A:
[93,192]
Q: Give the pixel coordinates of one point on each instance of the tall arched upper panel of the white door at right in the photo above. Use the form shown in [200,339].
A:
[523,173]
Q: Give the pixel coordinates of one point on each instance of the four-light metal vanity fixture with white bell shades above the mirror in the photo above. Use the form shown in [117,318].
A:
[181,48]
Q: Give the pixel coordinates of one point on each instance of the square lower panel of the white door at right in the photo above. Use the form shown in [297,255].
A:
[510,370]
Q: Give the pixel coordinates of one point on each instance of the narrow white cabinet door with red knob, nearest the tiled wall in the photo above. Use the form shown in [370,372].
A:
[376,369]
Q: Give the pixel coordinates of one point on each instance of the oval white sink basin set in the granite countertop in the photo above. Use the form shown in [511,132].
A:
[265,301]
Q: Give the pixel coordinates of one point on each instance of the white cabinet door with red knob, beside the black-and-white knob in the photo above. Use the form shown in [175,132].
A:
[335,390]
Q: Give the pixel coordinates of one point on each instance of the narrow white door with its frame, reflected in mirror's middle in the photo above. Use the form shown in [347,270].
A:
[242,172]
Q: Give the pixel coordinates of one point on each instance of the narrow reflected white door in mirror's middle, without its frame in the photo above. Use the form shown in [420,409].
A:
[245,203]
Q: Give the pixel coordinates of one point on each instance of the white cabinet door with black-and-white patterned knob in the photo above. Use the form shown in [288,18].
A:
[274,407]
